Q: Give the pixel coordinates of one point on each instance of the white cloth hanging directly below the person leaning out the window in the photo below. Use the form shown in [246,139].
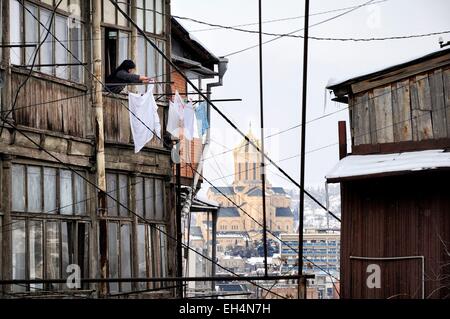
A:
[144,119]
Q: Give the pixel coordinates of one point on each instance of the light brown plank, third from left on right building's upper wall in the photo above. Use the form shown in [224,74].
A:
[401,108]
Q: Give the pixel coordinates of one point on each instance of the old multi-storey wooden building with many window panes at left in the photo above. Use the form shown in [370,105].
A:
[51,142]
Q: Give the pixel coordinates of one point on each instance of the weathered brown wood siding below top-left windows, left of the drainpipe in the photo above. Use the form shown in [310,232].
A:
[64,110]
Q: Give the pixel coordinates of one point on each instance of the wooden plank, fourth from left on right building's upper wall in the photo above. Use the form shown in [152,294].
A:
[421,107]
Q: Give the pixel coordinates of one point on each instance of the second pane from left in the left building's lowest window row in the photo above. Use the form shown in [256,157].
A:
[36,253]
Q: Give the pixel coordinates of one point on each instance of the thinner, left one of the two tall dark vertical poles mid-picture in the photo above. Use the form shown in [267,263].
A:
[263,159]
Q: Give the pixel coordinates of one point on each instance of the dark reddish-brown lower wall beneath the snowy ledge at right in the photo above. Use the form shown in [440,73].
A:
[396,217]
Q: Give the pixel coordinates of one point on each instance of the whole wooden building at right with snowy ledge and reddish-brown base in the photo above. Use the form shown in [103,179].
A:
[395,199]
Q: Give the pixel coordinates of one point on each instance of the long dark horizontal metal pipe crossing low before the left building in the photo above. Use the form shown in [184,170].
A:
[165,279]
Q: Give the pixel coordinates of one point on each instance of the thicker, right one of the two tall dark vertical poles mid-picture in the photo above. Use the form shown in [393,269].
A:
[302,282]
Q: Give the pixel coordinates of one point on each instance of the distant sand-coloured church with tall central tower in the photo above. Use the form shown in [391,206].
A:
[246,191]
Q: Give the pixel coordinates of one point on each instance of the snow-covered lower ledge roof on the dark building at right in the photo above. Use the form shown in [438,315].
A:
[363,165]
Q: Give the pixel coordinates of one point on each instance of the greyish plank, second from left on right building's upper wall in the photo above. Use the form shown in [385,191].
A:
[383,114]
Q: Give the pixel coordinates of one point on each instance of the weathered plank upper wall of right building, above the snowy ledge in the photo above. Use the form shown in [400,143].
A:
[412,109]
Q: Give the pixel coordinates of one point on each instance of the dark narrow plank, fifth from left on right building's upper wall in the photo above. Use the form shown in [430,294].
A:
[438,115]
